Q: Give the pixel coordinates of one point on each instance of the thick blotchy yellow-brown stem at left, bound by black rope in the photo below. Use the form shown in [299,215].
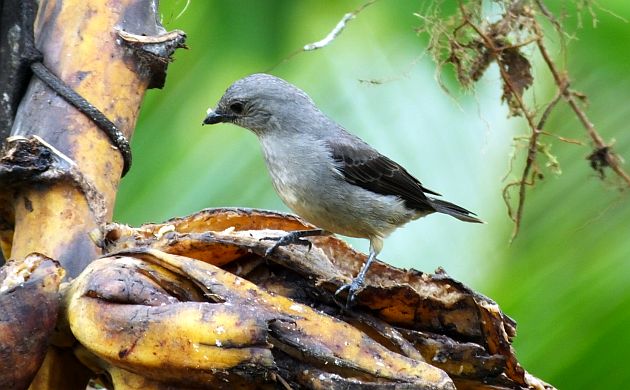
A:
[53,208]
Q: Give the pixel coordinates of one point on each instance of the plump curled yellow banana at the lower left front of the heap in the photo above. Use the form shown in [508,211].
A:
[165,340]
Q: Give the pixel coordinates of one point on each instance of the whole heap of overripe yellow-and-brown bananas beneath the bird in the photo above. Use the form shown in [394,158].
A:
[193,301]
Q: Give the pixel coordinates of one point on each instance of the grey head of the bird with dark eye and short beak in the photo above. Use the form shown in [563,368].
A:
[260,102]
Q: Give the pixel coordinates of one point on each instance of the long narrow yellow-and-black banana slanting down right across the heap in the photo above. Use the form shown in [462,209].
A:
[310,332]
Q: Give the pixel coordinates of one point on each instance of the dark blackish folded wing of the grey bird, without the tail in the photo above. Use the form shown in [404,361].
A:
[363,166]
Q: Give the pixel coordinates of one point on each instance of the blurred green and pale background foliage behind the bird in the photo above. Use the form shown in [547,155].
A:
[565,279]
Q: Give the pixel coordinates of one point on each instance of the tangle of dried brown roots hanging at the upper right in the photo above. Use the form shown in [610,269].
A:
[478,34]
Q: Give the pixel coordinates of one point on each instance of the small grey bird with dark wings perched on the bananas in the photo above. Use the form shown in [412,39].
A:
[329,177]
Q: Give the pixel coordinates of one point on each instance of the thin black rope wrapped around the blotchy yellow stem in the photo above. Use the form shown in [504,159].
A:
[35,58]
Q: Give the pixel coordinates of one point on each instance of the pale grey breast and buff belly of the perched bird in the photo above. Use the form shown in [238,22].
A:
[321,195]
